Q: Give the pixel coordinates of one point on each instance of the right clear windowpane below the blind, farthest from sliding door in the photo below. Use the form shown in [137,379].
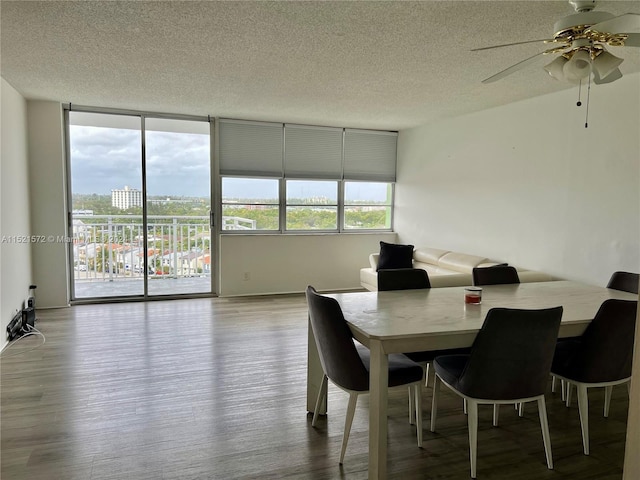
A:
[367,205]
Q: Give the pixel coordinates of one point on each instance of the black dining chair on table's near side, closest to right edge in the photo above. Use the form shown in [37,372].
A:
[601,357]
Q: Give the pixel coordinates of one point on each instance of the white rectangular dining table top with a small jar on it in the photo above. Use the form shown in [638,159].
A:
[438,317]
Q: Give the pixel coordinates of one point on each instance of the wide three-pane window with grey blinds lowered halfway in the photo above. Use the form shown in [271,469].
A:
[292,178]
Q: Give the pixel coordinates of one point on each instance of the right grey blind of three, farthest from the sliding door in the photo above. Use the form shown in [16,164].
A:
[370,155]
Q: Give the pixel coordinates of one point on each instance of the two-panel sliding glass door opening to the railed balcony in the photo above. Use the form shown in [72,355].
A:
[140,203]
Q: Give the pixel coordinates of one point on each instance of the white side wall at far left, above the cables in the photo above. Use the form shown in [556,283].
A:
[15,258]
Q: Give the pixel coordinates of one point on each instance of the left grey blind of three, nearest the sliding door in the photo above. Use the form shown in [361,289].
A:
[250,148]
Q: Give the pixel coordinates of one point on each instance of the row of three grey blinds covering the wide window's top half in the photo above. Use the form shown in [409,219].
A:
[259,149]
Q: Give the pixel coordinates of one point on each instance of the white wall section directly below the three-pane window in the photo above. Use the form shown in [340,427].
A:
[288,263]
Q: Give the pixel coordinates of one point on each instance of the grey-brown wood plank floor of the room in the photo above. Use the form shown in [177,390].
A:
[215,389]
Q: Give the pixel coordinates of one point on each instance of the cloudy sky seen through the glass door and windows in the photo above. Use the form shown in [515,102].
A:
[106,158]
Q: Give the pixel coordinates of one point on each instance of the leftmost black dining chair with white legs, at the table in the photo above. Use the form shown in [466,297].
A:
[347,365]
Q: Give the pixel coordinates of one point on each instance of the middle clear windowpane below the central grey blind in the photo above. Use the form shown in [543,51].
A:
[312,205]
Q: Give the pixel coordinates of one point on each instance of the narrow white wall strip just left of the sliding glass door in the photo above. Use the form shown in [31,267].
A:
[47,193]
